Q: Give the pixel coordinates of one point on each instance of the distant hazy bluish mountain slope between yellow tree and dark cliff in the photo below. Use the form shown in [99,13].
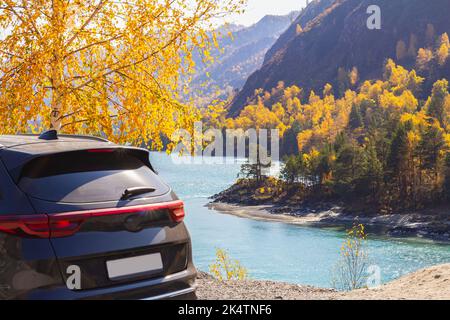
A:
[241,55]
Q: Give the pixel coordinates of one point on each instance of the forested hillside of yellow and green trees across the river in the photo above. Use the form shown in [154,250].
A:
[381,146]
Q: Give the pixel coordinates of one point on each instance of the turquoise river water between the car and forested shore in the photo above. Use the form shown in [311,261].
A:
[273,250]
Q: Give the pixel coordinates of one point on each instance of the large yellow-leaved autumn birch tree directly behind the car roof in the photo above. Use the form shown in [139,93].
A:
[102,67]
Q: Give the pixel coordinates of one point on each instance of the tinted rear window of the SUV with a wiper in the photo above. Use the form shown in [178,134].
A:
[87,176]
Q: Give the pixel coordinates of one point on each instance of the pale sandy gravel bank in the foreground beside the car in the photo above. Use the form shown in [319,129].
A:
[430,283]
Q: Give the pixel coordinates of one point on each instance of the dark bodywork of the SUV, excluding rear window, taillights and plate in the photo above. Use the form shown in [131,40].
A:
[32,268]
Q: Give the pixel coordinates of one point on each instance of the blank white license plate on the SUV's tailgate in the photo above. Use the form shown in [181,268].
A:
[134,265]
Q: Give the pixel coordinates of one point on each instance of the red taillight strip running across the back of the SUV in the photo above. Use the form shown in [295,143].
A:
[66,224]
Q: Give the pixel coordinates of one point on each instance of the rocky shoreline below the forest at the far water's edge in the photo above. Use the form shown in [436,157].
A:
[431,224]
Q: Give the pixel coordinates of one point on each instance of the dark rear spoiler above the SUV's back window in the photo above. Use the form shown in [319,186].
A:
[15,160]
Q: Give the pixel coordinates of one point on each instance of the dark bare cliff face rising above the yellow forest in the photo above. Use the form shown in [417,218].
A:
[339,38]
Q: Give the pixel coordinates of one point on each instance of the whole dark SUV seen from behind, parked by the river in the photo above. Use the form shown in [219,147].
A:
[83,218]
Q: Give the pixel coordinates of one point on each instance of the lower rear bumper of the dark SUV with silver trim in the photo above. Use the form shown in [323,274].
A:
[180,285]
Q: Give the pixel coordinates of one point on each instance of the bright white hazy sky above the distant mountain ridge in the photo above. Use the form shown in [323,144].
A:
[256,9]
